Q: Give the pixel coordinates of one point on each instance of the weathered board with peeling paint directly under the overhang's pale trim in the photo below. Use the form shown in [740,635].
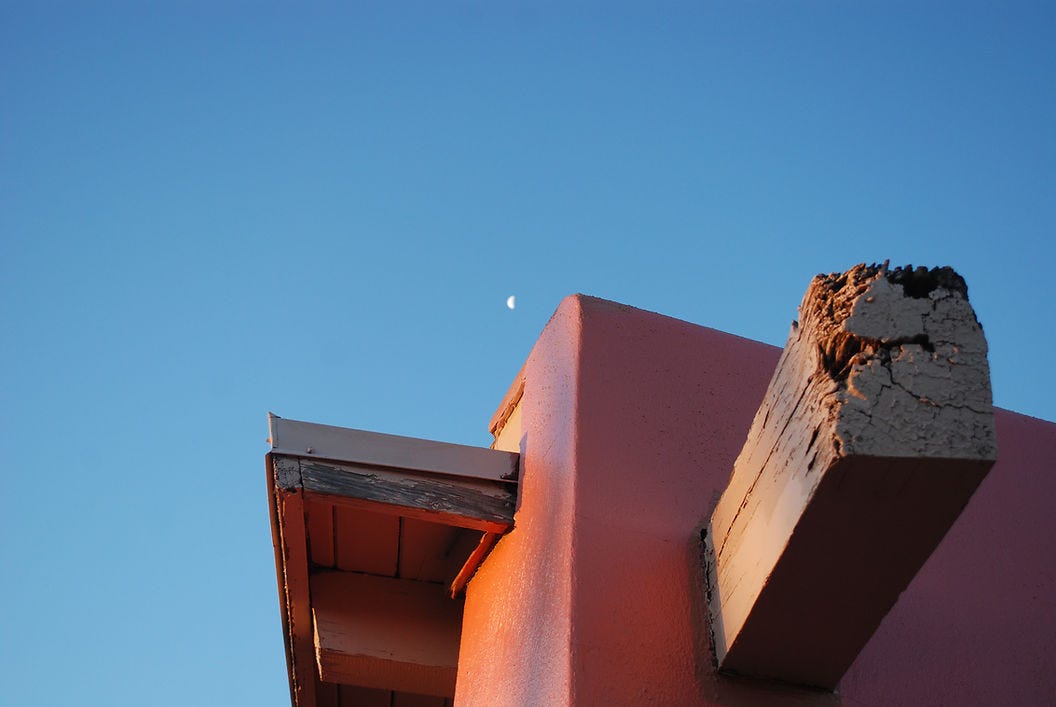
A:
[485,506]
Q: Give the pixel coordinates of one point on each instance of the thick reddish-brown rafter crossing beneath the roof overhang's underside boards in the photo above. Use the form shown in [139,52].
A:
[386,634]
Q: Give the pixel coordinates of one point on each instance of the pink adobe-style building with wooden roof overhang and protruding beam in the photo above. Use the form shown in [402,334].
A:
[620,545]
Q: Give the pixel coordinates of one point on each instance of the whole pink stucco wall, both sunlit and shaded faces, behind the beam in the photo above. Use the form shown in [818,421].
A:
[632,423]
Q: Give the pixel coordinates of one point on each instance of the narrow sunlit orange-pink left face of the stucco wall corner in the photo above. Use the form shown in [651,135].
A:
[517,628]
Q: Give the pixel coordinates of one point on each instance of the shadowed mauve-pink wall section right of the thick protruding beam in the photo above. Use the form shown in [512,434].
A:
[978,624]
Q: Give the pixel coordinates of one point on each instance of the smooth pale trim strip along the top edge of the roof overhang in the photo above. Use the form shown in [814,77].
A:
[319,442]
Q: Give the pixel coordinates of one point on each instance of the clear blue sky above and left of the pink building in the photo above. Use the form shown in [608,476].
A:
[211,213]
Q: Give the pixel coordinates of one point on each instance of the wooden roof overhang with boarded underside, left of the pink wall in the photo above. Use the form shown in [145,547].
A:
[375,537]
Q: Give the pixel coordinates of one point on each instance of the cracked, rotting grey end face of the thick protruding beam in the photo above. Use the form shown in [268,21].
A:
[904,342]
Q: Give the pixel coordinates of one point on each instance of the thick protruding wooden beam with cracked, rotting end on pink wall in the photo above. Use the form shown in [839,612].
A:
[877,429]
